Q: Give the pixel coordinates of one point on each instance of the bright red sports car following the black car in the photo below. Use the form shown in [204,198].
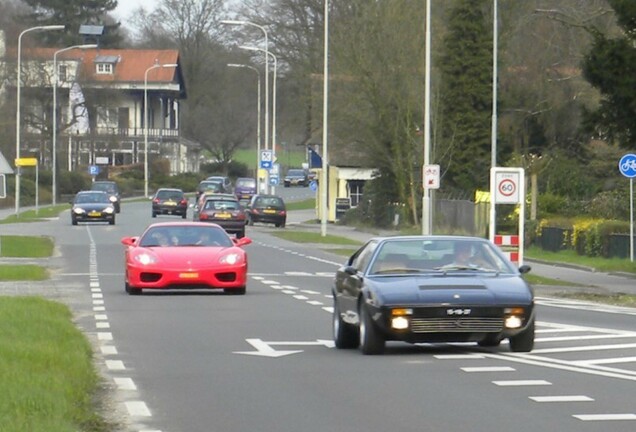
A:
[185,255]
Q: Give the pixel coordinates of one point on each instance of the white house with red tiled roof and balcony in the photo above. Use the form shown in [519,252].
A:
[100,97]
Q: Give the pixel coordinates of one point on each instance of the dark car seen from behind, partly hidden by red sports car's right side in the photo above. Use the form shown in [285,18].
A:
[224,210]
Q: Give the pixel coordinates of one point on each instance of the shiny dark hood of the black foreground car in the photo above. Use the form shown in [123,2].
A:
[450,290]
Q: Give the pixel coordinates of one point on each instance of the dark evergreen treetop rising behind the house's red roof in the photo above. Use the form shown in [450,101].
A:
[73,14]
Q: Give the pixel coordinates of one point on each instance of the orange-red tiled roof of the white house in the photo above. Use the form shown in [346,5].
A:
[130,67]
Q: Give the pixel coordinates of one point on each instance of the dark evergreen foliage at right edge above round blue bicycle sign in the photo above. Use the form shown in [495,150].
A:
[609,67]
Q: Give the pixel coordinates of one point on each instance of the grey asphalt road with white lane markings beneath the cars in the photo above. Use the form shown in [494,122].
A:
[204,361]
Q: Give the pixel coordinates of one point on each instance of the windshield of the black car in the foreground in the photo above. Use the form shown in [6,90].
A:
[438,255]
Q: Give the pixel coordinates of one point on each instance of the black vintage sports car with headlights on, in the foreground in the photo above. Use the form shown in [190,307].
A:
[418,289]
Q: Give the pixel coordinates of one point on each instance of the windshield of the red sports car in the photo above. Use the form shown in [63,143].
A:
[185,236]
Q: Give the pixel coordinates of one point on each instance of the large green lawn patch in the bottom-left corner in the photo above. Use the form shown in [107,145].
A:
[46,370]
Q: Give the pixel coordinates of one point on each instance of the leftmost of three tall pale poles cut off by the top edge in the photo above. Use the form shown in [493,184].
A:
[325,105]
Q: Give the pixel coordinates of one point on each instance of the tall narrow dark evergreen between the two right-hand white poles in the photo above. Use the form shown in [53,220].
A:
[466,82]
